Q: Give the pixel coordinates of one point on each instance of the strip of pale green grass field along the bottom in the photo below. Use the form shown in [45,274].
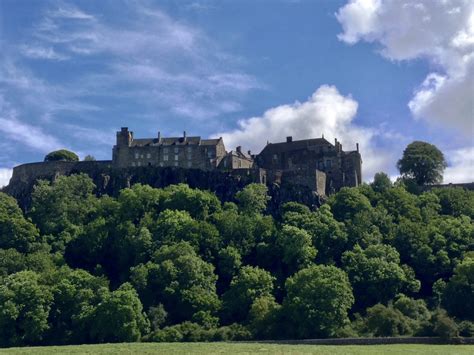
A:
[242,348]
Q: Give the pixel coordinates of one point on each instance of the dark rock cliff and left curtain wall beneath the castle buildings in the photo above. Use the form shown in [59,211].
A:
[110,180]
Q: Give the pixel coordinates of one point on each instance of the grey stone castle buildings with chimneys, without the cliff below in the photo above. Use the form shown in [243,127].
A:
[315,163]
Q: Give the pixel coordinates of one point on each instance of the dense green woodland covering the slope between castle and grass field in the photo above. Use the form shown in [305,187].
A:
[175,264]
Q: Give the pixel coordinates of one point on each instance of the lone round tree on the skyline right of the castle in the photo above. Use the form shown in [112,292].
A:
[422,162]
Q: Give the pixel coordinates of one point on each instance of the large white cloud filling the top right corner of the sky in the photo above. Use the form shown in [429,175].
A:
[440,31]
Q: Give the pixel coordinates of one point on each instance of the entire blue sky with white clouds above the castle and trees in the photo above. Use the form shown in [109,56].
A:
[381,73]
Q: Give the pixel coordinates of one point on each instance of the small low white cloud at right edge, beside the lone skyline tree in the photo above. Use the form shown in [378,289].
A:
[460,166]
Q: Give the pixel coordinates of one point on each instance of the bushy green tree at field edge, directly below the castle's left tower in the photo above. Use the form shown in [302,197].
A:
[119,317]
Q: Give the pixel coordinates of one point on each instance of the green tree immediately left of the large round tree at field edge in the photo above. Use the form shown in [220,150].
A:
[250,283]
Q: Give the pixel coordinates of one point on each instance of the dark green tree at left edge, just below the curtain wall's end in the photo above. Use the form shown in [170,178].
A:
[15,230]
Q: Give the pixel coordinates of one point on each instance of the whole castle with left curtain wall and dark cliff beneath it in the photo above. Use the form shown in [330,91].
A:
[304,171]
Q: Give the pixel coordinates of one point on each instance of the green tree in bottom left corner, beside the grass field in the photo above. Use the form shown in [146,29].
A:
[24,309]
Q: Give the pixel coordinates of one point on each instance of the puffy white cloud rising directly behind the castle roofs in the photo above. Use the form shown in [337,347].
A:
[326,112]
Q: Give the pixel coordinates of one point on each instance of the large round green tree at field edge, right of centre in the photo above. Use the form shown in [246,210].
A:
[318,299]
